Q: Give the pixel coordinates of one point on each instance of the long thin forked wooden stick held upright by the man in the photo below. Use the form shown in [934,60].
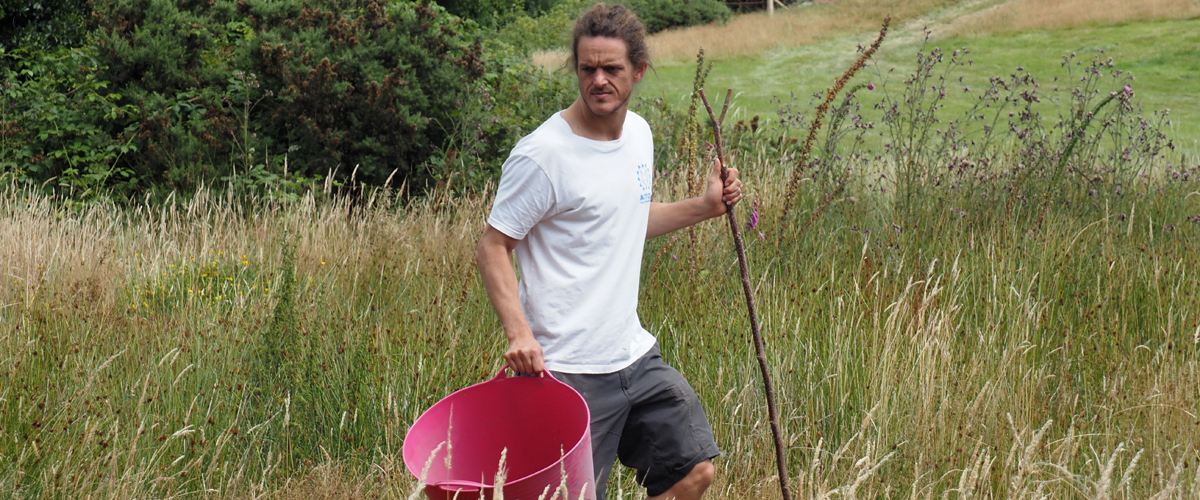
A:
[772,412]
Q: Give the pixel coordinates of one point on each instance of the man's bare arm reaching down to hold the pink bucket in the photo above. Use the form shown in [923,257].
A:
[494,256]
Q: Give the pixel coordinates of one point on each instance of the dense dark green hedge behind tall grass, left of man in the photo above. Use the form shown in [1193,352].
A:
[179,93]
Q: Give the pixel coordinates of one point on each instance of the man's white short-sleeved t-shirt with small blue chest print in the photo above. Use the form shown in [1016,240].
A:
[580,208]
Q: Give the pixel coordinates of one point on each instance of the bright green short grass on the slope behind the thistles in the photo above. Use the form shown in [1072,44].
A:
[1165,57]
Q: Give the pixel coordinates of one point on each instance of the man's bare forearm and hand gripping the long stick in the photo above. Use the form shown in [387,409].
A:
[669,218]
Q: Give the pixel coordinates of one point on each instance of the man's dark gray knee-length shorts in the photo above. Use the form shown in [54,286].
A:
[650,418]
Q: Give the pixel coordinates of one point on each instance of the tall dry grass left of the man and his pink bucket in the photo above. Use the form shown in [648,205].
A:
[129,335]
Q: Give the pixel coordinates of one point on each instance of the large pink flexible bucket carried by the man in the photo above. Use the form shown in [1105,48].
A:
[542,423]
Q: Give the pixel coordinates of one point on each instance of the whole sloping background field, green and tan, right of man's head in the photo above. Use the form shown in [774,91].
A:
[1163,56]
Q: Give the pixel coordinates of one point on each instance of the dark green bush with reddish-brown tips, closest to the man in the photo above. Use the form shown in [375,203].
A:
[376,88]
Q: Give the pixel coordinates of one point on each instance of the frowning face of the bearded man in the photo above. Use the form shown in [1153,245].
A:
[607,75]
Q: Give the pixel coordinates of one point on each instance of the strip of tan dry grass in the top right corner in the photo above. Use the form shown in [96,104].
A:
[1035,15]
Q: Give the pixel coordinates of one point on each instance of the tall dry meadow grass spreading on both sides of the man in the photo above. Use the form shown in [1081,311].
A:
[953,358]
